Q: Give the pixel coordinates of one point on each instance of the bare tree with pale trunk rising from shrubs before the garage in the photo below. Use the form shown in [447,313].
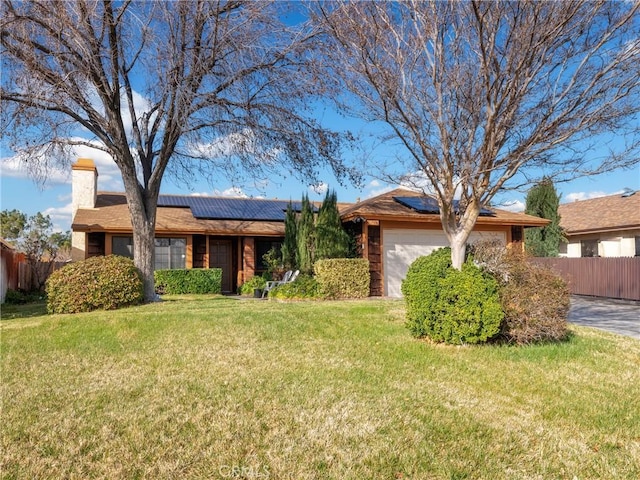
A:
[482,96]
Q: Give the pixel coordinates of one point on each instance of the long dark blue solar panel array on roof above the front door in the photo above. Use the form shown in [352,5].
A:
[220,208]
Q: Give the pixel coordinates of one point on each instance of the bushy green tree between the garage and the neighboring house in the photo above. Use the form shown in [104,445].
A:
[542,201]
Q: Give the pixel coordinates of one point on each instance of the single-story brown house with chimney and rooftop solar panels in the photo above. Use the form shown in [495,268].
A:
[234,233]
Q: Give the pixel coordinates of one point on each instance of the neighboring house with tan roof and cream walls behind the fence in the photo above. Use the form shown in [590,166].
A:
[602,227]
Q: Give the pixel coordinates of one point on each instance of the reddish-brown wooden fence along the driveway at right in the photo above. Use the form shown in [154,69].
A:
[600,277]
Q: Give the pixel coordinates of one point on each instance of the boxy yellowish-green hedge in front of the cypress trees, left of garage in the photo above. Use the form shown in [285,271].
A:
[343,277]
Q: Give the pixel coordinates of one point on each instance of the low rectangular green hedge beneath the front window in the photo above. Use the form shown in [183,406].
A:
[180,281]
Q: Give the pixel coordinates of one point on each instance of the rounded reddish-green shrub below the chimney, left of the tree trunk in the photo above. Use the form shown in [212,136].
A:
[98,283]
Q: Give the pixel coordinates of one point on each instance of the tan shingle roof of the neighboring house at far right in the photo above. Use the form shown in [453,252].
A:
[610,213]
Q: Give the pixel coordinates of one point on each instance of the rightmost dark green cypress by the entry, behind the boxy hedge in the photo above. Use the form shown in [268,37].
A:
[331,239]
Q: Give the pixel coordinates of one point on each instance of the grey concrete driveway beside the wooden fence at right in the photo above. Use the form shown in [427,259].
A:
[614,316]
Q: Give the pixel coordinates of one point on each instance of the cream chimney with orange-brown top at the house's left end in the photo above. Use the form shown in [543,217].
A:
[84,192]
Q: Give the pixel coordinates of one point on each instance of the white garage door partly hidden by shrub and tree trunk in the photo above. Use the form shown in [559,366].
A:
[401,247]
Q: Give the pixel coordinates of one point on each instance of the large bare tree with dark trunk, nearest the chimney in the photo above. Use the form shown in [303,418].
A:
[181,87]
